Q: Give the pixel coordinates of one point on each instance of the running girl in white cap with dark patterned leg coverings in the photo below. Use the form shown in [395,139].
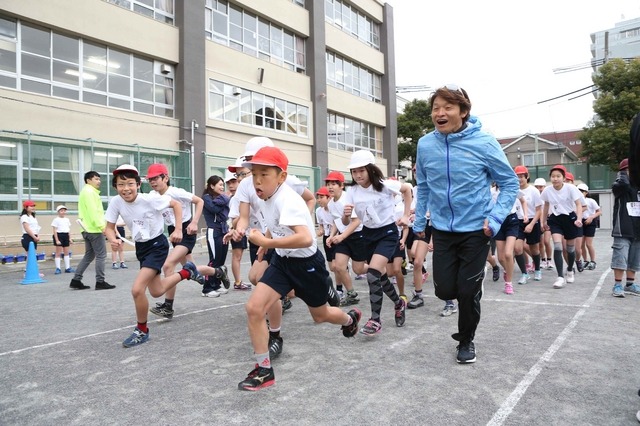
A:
[372,198]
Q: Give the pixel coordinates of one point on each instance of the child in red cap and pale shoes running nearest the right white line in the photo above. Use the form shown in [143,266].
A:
[562,215]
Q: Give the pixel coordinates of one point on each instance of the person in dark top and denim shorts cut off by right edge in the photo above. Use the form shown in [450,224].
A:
[625,233]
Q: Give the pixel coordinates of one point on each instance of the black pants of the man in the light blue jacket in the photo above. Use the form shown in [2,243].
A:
[458,271]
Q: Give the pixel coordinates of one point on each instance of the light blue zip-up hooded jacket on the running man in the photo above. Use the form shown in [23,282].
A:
[454,174]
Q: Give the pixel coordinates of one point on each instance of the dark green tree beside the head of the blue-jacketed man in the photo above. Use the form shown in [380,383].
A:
[414,122]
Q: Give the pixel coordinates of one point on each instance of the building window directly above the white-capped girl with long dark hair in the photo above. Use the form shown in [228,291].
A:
[347,134]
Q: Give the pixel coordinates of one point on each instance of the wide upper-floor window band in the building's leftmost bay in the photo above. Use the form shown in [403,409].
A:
[59,65]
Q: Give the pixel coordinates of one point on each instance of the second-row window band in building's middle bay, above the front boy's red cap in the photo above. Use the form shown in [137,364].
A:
[237,105]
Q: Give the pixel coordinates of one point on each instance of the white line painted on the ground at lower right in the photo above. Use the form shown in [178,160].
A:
[509,404]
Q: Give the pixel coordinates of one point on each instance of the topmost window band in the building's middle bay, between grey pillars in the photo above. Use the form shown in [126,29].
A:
[232,26]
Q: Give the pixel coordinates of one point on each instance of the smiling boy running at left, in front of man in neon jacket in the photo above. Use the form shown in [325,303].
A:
[143,214]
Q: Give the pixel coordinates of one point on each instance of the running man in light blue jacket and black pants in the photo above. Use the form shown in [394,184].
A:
[456,164]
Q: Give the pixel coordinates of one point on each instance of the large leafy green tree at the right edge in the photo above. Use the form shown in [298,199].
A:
[606,138]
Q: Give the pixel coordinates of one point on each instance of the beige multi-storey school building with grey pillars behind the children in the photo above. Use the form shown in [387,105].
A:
[93,84]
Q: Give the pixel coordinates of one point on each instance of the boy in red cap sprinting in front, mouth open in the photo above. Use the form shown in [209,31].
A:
[296,263]
